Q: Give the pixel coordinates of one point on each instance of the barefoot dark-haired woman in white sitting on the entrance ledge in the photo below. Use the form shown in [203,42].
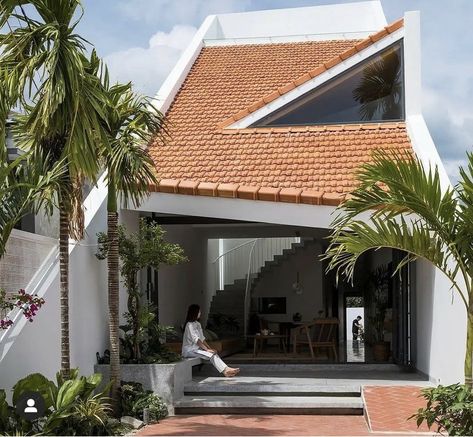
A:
[194,344]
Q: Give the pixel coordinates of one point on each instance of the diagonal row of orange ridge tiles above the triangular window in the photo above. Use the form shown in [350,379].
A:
[273,95]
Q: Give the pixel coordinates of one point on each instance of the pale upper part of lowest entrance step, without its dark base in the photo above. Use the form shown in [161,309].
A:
[283,402]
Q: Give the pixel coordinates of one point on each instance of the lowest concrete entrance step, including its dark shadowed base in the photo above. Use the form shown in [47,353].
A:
[269,405]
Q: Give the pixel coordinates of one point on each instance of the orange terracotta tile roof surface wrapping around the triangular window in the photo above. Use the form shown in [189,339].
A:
[312,165]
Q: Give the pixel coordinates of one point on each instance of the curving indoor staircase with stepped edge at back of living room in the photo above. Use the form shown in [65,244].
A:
[226,313]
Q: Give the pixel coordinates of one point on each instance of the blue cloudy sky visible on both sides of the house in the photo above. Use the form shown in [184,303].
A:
[141,40]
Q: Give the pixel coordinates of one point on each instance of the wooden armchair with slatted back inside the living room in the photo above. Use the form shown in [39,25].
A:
[319,334]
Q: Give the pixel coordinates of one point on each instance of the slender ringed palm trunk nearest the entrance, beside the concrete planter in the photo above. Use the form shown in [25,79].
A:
[113,297]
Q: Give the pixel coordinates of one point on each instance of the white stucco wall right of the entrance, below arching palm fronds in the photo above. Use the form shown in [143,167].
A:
[440,326]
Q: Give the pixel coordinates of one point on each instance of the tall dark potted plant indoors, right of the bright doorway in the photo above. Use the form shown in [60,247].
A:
[378,297]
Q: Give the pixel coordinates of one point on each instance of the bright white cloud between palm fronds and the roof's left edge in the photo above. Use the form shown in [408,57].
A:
[147,67]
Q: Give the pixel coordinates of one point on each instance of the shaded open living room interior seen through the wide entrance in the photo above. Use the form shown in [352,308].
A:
[267,297]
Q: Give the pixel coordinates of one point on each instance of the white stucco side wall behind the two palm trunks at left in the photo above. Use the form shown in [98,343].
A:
[35,347]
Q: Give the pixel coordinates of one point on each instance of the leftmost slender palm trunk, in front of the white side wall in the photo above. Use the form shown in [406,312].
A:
[64,289]
